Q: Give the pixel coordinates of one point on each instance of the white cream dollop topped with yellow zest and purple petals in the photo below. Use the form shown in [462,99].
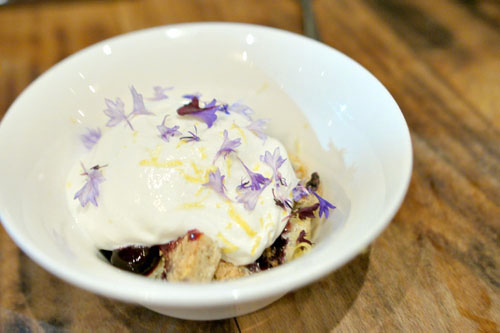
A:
[156,188]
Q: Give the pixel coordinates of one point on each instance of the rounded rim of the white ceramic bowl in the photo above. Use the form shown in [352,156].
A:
[181,295]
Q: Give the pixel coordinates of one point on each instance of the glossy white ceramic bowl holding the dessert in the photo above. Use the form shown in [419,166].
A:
[350,128]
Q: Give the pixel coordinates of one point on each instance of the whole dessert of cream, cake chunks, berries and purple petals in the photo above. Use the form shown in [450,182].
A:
[194,193]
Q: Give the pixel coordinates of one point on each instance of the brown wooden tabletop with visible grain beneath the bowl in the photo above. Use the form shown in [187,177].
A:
[435,268]
